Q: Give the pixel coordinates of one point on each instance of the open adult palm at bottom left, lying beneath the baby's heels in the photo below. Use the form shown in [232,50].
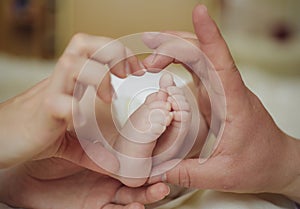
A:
[56,183]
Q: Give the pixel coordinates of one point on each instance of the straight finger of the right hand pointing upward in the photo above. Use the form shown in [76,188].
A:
[215,48]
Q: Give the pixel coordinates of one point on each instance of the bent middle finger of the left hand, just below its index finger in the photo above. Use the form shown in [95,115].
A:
[74,73]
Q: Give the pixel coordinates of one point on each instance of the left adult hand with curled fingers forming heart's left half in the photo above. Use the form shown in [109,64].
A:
[38,123]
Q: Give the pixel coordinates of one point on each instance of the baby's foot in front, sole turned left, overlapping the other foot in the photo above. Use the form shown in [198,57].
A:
[138,137]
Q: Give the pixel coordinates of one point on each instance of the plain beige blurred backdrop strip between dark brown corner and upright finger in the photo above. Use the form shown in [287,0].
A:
[116,18]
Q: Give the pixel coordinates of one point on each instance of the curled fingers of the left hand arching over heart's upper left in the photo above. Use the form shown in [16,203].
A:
[89,59]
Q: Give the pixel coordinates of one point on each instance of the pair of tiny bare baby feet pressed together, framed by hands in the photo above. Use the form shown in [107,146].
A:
[164,113]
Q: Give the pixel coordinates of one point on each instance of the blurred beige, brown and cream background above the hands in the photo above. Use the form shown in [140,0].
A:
[263,35]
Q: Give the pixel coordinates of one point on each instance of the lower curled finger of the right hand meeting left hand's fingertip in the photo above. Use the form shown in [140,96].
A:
[170,50]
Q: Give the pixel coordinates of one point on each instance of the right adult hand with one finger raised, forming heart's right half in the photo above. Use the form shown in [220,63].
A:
[253,154]
